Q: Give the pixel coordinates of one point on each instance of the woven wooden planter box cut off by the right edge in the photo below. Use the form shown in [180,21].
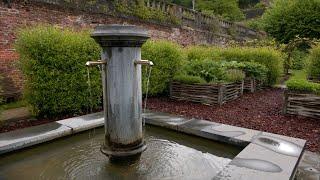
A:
[302,103]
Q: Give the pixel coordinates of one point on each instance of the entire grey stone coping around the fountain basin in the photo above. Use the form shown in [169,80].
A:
[265,155]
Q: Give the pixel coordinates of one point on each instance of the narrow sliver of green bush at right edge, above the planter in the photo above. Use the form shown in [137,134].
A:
[314,62]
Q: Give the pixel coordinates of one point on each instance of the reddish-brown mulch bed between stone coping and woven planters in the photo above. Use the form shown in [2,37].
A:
[261,110]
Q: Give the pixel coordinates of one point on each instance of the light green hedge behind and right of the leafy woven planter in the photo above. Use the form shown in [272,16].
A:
[268,57]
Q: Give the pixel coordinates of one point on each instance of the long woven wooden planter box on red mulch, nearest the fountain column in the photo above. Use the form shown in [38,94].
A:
[210,94]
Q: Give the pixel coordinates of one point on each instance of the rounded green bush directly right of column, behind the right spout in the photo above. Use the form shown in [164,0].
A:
[167,58]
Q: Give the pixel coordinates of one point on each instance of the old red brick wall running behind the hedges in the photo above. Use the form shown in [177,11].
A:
[24,15]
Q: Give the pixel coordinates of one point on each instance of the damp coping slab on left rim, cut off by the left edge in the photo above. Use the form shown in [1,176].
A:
[22,138]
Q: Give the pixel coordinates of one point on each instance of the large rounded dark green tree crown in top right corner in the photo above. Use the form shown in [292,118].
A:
[287,19]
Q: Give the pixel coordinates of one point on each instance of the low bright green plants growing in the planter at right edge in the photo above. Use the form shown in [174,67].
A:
[299,82]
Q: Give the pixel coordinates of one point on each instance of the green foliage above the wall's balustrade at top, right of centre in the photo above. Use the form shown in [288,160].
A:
[228,9]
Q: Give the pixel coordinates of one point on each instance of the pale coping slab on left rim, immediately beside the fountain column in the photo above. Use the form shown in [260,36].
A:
[83,123]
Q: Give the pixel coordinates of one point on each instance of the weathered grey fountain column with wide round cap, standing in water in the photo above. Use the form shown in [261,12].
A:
[122,95]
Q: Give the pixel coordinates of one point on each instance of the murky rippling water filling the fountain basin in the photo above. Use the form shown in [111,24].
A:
[169,155]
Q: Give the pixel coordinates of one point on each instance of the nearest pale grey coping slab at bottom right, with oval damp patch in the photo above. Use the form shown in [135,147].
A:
[258,162]
